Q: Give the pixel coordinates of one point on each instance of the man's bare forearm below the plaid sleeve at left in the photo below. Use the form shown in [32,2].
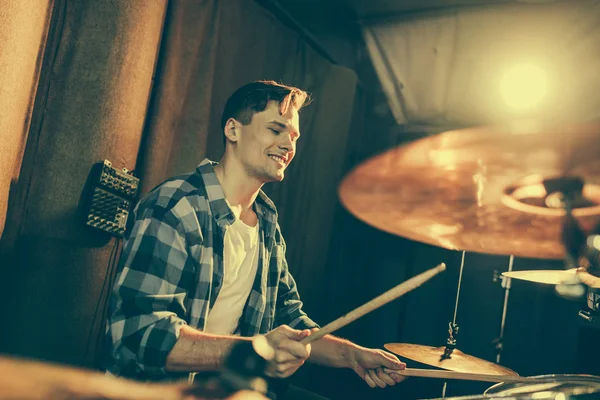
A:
[199,351]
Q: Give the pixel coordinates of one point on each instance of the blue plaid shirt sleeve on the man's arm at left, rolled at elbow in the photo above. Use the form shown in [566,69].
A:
[148,304]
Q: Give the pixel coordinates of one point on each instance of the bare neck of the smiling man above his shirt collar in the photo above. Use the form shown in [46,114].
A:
[240,189]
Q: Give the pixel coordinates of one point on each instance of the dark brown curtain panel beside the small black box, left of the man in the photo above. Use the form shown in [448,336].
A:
[90,105]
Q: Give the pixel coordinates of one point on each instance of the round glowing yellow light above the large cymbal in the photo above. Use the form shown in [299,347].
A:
[523,86]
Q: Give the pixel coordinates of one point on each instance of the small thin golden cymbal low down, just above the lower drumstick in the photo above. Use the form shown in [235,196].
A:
[458,361]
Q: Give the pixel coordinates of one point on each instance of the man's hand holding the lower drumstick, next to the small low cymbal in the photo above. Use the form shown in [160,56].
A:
[376,367]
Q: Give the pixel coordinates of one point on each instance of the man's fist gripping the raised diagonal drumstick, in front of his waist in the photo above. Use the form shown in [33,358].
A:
[290,354]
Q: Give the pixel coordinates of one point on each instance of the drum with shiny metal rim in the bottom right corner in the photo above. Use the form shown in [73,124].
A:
[549,387]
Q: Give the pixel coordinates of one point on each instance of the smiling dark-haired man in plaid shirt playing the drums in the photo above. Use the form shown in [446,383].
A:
[204,264]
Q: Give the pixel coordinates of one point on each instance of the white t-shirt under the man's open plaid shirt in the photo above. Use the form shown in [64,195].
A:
[240,263]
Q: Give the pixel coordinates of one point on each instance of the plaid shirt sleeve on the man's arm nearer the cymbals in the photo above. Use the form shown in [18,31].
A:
[289,306]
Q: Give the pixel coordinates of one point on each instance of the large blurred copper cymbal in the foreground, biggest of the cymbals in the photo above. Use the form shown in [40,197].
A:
[480,189]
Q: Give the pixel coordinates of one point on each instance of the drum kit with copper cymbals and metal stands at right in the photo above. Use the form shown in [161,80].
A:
[524,189]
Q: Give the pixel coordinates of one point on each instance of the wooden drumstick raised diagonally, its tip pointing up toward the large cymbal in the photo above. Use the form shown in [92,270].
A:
[377,302]
